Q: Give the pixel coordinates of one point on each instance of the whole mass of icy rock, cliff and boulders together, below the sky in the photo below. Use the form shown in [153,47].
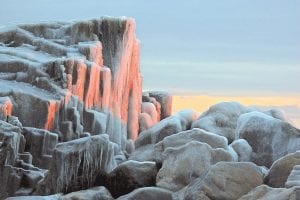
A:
[75,124]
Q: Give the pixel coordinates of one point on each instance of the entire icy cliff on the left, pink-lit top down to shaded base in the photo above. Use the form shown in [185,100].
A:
[70,99]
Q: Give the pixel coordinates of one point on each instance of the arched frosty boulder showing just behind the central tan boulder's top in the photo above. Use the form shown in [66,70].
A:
[182,138]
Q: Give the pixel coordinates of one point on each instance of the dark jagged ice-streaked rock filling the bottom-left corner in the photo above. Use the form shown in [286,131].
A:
[17,177]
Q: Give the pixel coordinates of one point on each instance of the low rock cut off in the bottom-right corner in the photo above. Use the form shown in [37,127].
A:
[264,192]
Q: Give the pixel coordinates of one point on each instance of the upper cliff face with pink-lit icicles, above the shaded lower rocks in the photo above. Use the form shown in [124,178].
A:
[59,76]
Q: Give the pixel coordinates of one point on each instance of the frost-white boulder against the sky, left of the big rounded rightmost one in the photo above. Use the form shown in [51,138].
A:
[221,119]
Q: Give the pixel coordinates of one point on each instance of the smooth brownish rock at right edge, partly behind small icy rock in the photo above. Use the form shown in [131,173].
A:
[281,169]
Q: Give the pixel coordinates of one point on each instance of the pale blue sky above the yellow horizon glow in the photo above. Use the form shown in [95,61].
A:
[221,47]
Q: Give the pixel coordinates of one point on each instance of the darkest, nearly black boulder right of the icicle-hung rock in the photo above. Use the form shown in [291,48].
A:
[131,175]
